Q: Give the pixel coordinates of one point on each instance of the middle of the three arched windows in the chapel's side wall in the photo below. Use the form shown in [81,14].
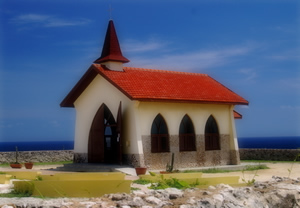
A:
[186,135]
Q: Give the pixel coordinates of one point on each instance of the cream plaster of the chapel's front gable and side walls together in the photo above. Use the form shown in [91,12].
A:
[138,116]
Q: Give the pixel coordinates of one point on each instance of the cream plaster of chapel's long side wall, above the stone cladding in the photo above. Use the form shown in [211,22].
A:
[174,112]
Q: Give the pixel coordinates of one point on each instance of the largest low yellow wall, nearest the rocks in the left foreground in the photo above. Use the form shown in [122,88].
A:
[92,188]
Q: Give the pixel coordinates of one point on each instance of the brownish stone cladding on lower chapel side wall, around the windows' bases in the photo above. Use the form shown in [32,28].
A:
[190,159]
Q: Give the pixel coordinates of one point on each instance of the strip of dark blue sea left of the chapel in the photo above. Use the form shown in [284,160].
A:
[36,145]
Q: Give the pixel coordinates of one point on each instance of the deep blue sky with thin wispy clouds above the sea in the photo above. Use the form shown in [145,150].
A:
[250,46]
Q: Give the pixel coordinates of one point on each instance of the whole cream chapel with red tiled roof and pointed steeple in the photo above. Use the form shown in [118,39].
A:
[139,116]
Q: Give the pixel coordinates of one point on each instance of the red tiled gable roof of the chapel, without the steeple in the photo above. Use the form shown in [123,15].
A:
[159,85]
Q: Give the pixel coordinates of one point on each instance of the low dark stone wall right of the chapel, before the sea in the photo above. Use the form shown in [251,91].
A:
[270,154]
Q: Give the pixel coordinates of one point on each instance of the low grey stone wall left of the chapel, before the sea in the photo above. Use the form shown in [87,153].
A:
[37,156]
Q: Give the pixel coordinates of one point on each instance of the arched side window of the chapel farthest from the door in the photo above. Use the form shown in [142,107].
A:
[212,137]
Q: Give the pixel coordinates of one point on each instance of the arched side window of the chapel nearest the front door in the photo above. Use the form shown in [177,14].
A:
[159,135]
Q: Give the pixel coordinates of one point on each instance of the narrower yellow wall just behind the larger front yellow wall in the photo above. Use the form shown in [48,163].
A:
[84,176]
